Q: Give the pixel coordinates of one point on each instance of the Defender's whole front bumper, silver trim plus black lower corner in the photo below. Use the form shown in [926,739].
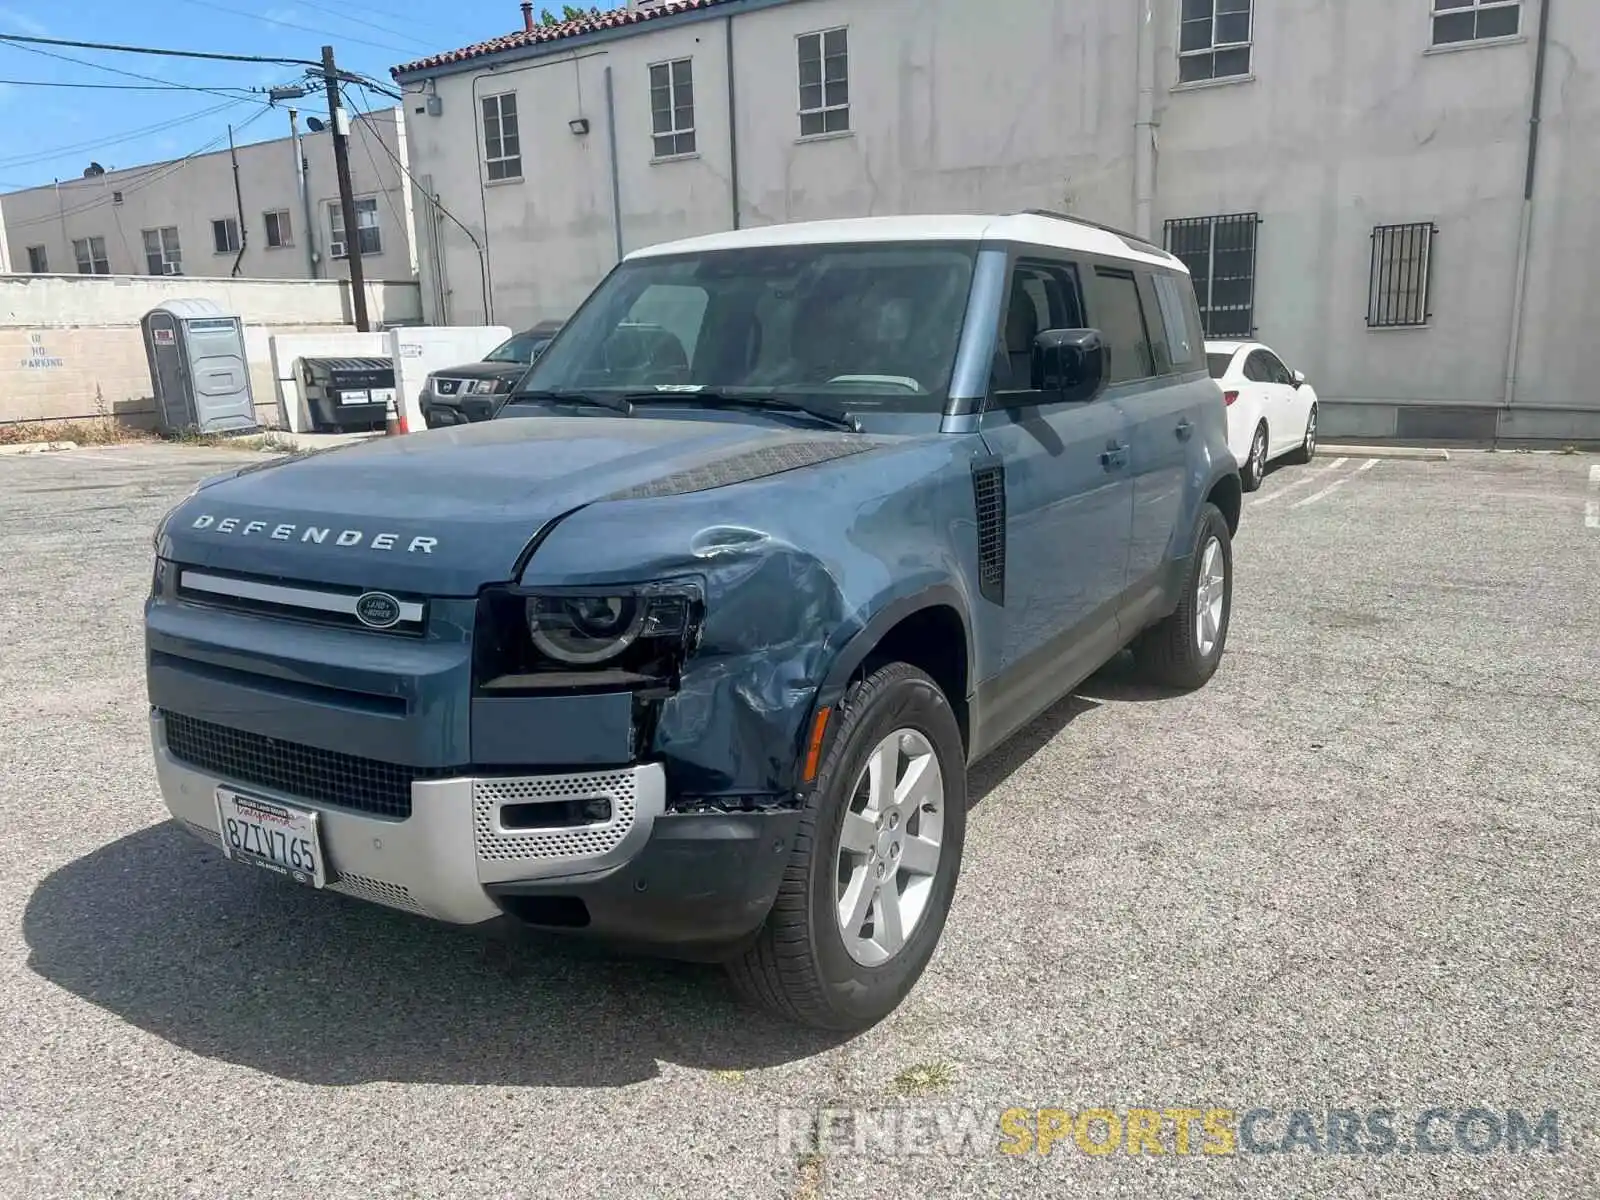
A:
[644,878]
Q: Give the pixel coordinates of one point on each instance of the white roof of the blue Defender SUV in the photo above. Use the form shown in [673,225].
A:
[1042,230]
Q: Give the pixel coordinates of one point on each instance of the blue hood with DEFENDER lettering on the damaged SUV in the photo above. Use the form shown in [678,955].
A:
[447,511]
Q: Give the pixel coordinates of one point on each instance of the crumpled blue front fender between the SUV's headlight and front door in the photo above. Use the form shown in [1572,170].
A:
[799,570]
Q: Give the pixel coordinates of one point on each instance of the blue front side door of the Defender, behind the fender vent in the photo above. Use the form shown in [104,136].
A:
[1068,508]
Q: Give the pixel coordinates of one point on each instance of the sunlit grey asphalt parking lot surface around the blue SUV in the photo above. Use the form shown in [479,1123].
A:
[1358,871]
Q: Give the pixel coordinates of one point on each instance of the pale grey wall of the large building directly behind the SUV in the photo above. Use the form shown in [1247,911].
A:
[1348,121]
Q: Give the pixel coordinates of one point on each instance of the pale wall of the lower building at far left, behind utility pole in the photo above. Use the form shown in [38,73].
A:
[196,193]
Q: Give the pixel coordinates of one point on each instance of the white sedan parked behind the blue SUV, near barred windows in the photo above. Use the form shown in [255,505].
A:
[1271,410]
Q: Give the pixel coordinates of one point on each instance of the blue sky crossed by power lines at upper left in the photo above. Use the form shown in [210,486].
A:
[54,134]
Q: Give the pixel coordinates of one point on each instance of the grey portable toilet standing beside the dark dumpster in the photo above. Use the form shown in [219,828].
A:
[199,372]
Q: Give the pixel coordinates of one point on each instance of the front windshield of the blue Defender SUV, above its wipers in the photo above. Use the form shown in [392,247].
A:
[876,326]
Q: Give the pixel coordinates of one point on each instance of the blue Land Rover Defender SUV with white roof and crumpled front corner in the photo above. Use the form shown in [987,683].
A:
[690,647]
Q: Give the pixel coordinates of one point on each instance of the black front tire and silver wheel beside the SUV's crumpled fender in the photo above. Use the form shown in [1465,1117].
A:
[801,967]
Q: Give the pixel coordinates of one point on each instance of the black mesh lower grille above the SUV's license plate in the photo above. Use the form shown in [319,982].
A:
[313,774]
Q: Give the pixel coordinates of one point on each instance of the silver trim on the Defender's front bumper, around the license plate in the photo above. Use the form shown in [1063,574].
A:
[438,862]
